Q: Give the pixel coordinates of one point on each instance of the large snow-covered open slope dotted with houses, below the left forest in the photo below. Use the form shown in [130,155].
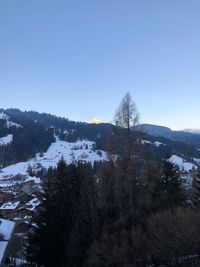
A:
[83,151]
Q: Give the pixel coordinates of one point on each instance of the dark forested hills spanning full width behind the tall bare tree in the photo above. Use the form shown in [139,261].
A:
[33,132]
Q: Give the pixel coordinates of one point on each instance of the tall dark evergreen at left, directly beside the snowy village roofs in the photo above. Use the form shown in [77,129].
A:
[47,241]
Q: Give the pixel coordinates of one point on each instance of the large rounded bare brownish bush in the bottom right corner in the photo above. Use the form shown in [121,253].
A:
[174,235]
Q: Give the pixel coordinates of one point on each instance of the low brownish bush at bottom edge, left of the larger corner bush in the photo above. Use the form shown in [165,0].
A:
[119,249]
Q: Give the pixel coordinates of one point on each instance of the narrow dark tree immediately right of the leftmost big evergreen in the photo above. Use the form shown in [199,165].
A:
[84,227]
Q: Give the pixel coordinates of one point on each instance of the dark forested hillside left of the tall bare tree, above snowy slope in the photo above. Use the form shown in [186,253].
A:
[34,132]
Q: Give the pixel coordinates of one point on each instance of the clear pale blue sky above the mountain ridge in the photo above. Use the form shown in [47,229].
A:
[78,58]
